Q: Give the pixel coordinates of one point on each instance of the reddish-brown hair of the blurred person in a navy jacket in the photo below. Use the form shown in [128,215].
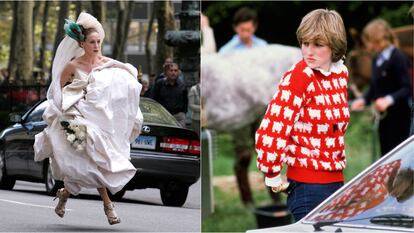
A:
[379,30]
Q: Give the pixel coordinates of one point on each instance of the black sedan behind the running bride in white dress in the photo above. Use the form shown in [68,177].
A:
[166,155]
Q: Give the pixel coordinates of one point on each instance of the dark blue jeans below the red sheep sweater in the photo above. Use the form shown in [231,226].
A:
[304,197]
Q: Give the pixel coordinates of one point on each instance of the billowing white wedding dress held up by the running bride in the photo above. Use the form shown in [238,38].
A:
[106,101]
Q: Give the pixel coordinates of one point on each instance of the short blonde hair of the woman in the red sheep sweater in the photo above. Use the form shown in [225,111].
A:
[325,27]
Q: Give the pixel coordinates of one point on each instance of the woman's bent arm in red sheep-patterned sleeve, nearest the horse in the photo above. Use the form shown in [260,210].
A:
[273,134]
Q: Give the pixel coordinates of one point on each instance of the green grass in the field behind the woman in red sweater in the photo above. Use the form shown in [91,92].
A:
[231,215]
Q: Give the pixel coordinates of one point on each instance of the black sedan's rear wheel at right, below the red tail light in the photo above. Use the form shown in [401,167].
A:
[174,194]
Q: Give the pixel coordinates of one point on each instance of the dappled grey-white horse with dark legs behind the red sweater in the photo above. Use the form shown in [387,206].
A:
[236,88]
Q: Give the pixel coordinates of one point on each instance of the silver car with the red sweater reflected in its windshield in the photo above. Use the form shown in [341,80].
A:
[379,199]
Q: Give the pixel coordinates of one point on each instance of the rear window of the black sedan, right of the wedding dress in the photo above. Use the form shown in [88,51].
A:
[153,112]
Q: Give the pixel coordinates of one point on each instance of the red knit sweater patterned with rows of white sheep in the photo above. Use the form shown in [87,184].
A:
[304,126]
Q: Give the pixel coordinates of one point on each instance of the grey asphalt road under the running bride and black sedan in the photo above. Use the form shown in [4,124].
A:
[27,209]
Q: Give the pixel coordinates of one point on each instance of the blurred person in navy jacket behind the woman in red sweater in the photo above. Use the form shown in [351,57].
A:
[390,86]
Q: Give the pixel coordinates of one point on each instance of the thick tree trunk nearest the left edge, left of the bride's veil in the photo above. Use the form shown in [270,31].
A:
[22,58]
